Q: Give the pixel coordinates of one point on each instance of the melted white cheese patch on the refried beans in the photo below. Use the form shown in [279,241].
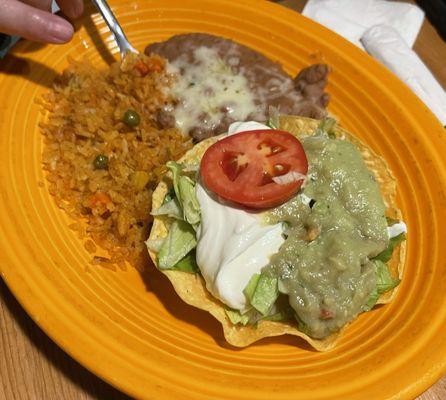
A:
[208,88]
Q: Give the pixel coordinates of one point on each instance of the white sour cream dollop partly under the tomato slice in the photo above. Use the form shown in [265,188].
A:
[233,244]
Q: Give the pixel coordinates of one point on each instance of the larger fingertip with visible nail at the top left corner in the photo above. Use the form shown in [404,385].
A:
[31,23]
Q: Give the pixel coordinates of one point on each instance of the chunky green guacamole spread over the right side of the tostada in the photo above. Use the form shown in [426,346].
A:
[325,265]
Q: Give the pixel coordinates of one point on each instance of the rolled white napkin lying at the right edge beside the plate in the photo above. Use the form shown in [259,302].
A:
[386,45]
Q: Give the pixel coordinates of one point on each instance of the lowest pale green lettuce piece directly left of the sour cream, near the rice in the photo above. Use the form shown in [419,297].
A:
[178,243]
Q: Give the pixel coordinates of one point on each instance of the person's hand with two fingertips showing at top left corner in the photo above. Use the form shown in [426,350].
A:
[32,19]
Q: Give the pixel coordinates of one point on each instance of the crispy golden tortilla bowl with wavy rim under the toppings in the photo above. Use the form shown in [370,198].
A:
[191,287]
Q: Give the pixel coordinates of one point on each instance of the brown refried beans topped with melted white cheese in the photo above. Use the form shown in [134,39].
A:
[221,81]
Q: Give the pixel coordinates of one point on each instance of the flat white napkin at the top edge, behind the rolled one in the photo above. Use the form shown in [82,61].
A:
[351,18]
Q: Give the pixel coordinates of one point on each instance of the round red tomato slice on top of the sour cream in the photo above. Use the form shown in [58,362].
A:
[240,168]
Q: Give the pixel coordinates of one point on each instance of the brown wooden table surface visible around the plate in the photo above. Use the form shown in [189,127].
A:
[32,367]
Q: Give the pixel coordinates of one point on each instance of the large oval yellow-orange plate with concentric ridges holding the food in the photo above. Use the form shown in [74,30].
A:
[130,328]
